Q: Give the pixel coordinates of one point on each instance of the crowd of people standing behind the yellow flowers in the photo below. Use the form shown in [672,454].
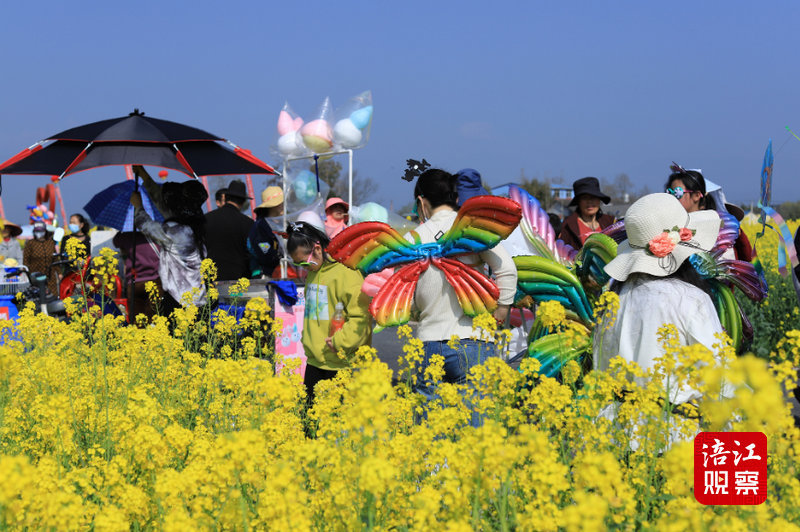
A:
[654,287]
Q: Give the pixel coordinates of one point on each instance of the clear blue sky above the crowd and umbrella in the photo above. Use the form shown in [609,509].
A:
[555,88]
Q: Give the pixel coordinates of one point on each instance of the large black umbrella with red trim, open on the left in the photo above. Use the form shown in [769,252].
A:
[135,139]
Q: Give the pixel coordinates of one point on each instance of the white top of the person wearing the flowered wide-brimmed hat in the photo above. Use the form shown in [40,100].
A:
[645,305]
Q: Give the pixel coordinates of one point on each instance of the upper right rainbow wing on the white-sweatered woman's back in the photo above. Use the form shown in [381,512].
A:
[482,222]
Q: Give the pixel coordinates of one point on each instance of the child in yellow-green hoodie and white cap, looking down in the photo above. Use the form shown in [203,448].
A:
[327,284]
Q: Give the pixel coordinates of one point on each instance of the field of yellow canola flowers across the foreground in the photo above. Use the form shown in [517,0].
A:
[185,425]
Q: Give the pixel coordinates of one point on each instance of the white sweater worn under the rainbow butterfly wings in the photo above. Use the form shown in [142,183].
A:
[440,314]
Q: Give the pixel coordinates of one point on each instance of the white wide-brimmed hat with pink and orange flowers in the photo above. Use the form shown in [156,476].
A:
[661,236]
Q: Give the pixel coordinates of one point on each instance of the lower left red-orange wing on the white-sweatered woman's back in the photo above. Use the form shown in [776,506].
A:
[392,304]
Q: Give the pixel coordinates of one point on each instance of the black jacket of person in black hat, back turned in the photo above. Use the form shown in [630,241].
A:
[226,240]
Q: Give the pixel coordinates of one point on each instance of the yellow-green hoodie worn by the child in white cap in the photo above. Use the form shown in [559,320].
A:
[332,283]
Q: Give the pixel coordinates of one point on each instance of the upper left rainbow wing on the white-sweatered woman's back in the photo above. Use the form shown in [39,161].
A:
[373,246]
